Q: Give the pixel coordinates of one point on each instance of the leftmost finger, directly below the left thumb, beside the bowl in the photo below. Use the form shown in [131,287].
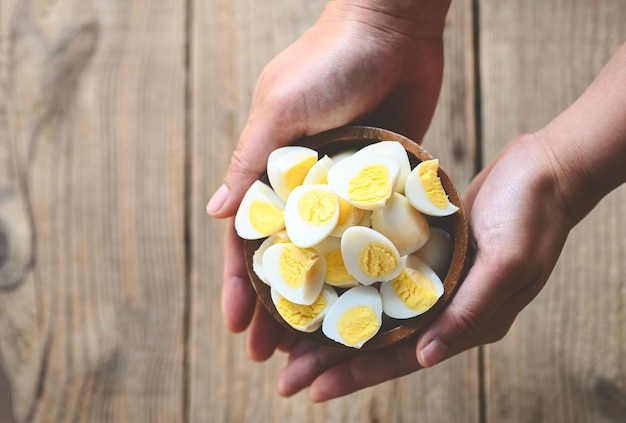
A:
[238,296]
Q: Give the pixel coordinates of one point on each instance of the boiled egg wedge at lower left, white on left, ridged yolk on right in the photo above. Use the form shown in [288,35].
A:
[296,273]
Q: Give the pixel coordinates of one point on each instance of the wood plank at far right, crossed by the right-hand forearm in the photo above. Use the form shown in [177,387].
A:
[563,359]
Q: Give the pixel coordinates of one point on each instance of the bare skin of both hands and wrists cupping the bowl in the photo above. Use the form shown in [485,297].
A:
[521,207]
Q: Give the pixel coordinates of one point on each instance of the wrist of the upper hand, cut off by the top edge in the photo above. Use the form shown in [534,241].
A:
[423,19]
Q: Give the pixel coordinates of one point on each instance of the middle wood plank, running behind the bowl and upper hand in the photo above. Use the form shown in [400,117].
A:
[231,43]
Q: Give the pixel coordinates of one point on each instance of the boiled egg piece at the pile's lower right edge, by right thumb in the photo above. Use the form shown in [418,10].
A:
[413,292]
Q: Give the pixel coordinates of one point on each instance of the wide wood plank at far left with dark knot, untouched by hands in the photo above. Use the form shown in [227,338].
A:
[93,331]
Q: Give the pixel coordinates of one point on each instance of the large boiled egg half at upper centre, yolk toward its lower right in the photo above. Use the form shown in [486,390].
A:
[364,180]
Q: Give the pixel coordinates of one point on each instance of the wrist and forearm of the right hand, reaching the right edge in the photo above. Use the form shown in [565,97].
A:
[587,142]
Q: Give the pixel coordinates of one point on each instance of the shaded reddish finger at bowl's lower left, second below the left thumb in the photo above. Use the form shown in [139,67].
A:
[265,333]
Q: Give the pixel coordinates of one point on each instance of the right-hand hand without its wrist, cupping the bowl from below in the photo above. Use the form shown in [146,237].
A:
[519,222]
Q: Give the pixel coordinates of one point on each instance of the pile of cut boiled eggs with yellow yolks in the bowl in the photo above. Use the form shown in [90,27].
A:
[347,238]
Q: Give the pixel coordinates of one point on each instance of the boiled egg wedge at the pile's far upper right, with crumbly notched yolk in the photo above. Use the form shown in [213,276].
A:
[425,192]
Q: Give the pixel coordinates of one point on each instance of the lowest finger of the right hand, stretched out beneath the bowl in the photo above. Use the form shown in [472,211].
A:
[365,370]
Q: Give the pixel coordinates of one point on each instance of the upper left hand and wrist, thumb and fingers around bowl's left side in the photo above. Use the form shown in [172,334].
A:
[356,64]
